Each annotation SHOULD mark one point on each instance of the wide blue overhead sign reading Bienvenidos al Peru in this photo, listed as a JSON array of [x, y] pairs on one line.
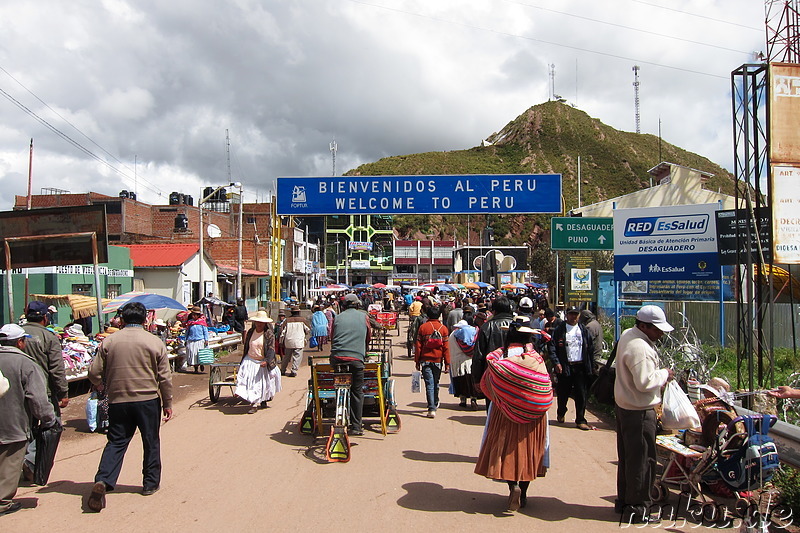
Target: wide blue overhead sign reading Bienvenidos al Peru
[[398, 195]]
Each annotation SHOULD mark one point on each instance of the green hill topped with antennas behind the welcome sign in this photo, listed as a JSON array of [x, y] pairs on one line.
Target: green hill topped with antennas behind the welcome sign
[[547, 138]]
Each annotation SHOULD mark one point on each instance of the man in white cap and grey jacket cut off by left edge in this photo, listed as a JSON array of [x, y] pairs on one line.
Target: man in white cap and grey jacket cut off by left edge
[[26, 396]]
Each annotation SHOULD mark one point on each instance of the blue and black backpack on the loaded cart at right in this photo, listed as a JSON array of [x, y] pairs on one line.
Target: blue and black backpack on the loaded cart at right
[[756, 462]]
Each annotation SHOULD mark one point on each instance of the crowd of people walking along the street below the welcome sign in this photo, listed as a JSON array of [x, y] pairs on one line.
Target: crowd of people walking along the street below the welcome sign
[[517, 355]]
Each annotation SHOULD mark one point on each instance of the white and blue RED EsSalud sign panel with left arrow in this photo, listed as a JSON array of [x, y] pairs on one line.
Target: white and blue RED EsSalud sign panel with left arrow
[[666, 243]]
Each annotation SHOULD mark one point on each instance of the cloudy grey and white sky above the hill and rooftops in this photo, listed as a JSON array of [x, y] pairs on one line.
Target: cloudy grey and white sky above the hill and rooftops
[[139, 94]]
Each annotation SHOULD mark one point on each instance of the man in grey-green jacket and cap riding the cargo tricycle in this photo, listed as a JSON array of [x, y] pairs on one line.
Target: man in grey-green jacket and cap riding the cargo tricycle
[[351, 335]]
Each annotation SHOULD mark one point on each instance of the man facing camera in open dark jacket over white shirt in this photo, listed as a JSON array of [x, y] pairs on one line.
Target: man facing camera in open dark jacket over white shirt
[[572, 355]]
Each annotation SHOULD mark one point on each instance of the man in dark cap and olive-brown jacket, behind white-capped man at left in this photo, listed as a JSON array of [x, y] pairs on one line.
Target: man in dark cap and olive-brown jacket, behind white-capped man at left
[[43, 346]]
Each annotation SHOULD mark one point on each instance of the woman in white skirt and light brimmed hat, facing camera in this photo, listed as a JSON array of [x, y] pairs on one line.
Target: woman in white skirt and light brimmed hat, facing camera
[[259, 377]]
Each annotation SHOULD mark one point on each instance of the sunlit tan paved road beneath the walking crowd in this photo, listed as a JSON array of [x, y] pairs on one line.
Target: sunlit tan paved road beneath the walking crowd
[[227, 470]]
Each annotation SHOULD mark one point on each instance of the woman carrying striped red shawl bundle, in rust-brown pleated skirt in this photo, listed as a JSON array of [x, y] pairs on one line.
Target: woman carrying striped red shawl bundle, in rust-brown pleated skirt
[[514, 447]]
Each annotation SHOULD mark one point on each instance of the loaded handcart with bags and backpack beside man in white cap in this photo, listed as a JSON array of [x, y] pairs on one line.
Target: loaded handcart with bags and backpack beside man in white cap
[[704, 471]]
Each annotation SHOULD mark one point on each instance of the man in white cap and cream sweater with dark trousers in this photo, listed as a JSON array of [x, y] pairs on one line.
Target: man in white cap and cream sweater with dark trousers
[[637, 391]]
